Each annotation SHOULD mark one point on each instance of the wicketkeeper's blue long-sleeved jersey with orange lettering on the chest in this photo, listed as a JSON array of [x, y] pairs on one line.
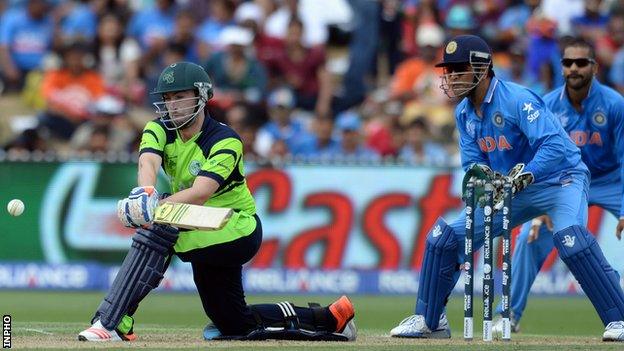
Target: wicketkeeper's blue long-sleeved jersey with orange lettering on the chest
[[516, 127]]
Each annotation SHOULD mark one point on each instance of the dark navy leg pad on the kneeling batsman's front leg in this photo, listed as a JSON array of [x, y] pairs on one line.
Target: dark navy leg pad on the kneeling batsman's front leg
[[141, 272]]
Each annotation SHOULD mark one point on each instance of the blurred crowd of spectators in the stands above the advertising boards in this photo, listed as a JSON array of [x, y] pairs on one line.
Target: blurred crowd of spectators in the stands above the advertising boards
[[328, 79]]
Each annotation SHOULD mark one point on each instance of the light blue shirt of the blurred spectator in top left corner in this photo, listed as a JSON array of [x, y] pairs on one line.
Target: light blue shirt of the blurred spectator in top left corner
[[28, 40]]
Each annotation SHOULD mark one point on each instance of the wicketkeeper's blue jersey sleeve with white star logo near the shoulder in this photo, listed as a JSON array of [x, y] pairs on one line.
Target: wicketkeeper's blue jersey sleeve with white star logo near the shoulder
[[544, 135]]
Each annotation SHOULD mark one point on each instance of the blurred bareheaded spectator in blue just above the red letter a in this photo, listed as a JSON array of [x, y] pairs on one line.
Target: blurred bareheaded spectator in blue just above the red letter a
[[321, 144]]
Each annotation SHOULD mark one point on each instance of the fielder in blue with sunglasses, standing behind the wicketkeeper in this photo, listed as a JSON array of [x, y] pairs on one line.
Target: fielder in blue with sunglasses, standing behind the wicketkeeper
[[593, 115]]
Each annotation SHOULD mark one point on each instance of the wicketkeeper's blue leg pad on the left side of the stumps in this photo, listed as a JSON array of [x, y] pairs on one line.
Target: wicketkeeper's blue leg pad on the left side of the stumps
[[437, 273]]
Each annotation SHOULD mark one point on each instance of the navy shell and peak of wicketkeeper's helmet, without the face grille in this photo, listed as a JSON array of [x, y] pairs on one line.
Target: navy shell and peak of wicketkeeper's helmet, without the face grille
[[466, 49]]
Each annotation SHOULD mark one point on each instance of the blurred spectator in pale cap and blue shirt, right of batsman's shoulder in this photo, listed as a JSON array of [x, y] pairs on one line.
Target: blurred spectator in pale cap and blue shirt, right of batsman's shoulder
[[284, 125]]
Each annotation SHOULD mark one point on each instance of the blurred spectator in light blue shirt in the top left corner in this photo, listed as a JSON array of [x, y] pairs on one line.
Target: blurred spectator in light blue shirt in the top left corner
[[25, 38]]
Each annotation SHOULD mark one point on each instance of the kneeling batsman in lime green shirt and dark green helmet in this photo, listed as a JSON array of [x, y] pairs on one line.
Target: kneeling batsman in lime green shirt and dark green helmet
[[204, 161]]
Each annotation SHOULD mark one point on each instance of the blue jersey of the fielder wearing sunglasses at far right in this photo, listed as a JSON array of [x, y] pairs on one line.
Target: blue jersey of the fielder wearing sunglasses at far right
[[598, 130]]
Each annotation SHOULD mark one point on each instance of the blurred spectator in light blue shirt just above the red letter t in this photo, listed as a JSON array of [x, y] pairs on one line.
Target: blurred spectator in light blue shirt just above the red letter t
[[419, 148]]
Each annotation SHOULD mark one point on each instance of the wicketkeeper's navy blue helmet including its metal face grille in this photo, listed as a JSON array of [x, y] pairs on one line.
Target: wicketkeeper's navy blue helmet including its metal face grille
[[469, 52]]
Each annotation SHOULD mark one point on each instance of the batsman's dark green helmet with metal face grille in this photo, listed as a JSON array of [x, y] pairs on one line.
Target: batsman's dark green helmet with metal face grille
[[182, 76]]
